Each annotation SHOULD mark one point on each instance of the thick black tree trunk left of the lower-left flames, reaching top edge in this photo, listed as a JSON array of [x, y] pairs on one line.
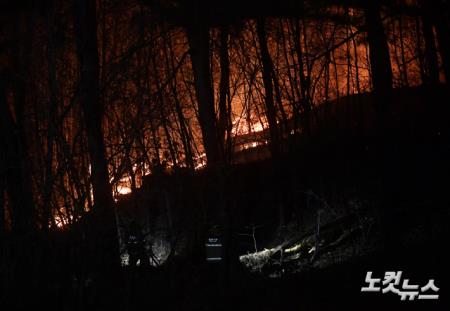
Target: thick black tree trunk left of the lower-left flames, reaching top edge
[[104, 238]]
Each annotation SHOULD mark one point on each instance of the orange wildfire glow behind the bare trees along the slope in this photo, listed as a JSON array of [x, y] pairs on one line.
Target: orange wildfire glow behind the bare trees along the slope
[[147, 88]]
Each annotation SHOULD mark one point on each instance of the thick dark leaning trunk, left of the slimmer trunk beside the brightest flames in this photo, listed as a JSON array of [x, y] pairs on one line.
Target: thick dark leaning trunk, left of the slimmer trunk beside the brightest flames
[[198, 37]]
